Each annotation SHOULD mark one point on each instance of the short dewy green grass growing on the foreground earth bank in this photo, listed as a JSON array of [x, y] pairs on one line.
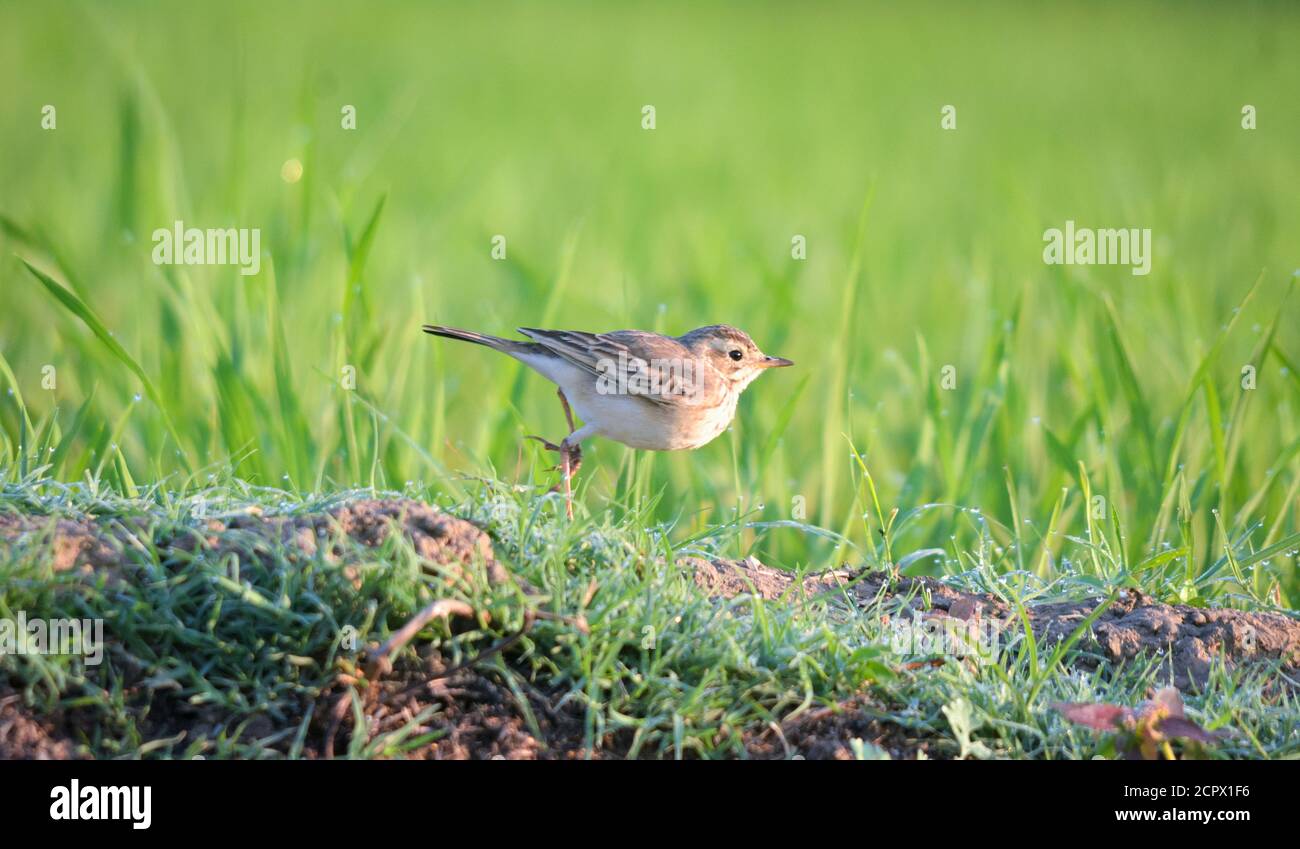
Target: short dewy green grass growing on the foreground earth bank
[[265, 642]]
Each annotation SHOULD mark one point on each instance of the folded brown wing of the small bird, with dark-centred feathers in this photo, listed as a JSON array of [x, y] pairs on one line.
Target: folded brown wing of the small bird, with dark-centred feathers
[[655, 367]]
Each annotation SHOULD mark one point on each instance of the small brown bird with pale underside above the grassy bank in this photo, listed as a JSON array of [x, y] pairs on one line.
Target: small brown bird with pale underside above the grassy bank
[[645, 391]]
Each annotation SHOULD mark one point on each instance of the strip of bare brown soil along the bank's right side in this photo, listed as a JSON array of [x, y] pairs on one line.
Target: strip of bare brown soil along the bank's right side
[[1188, 639]]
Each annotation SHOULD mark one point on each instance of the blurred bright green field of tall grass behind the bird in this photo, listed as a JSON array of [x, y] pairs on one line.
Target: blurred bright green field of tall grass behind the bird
[[773, 122]]
